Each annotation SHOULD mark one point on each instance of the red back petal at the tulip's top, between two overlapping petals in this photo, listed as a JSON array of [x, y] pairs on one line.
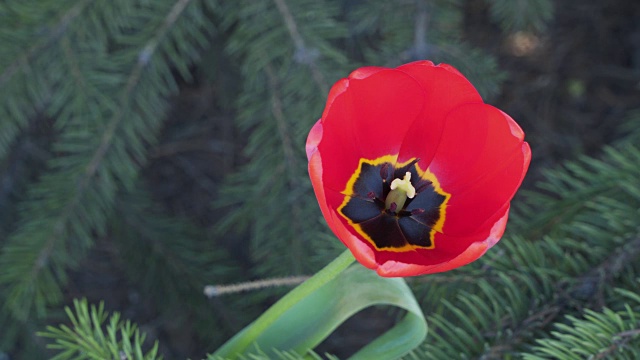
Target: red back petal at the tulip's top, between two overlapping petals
[[445, 89]]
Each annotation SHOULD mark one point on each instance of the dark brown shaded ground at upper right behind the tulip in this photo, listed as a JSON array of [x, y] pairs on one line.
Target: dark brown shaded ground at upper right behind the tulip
[[571, 86]]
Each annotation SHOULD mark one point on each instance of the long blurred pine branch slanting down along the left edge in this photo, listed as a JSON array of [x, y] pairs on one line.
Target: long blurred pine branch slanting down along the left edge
[[100, 151]]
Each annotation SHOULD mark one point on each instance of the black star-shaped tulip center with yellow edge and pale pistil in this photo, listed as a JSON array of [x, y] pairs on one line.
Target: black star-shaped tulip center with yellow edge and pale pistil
[[394, 206]]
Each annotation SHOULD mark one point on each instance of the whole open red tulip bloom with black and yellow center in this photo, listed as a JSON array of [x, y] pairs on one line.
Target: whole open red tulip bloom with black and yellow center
[[413, 171]]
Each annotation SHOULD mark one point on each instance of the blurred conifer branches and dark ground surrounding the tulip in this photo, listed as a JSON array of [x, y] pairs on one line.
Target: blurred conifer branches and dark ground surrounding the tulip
[[150, 148]]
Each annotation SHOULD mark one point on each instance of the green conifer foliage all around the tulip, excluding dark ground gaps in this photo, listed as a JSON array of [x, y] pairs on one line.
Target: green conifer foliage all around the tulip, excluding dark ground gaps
[[86, 89]]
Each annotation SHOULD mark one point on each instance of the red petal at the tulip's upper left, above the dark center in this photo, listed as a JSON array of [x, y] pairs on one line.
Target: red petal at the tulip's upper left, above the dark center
[[367, 119]]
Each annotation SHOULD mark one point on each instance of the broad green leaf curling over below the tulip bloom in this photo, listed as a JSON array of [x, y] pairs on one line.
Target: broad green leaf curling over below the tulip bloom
[[307, 323]]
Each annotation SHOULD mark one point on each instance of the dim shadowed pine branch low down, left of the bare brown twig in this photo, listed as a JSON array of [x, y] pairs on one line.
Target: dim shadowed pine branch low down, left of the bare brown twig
[[170, 258]]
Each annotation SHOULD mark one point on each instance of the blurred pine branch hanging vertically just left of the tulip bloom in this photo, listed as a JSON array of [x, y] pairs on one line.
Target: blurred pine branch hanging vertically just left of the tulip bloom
[[277, 99]]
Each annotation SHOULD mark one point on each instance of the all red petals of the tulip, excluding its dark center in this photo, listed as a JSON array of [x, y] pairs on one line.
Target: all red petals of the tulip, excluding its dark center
[[432, 112]]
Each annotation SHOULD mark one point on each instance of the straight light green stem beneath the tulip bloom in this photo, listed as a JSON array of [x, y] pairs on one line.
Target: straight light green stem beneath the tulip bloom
[[239, 343]]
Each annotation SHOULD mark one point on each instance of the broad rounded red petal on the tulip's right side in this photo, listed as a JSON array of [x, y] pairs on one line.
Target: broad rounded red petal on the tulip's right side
[[481, 162]]
